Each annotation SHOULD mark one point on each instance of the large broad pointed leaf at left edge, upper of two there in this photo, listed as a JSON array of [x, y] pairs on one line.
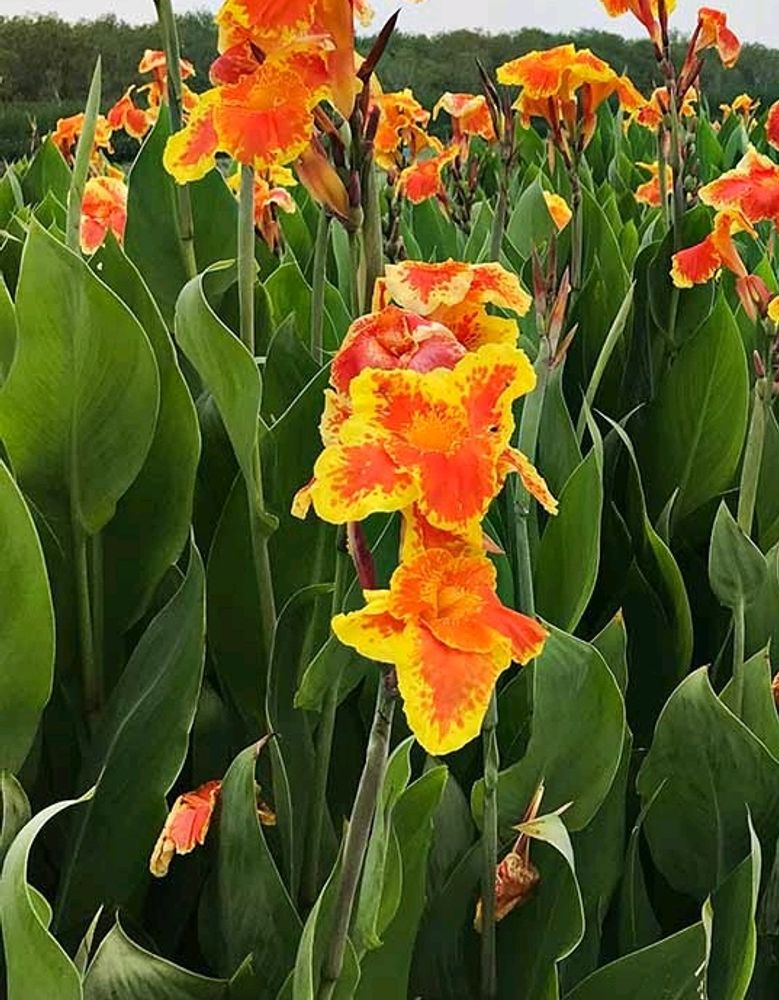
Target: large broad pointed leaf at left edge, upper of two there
[[79, 408]]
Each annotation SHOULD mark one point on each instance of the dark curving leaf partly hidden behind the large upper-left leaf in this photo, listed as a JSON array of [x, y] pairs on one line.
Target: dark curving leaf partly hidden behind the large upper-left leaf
[[152, 519]]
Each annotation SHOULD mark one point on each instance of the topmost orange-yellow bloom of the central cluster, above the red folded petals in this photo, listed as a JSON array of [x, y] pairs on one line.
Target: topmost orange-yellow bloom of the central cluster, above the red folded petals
[[456, 295]]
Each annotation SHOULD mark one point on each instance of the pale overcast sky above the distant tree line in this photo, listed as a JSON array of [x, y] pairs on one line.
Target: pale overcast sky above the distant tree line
[[753, 20]]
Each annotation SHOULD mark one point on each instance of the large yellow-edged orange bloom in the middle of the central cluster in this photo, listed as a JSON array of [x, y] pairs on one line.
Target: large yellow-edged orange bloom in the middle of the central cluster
[[439, 439]]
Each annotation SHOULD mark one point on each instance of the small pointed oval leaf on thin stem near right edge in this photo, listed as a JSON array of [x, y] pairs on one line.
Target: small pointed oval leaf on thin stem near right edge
[[737, 567]]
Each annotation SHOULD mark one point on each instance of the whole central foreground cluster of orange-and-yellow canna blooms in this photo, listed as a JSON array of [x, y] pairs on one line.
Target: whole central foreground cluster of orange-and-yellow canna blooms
[[419, 420]]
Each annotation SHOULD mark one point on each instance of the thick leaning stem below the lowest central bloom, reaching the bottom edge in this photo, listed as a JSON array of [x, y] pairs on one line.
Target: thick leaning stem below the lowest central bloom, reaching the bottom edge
[[357, 836]]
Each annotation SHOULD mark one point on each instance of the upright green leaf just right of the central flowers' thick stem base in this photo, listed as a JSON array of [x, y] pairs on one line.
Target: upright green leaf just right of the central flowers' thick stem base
[[385, 971]]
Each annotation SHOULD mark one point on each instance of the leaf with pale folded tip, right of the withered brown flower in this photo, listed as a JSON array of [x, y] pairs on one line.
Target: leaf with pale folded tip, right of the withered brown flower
[[549, 926]]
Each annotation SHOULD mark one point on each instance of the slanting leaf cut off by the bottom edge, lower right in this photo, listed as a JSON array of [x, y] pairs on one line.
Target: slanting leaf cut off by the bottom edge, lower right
[[673, 968]]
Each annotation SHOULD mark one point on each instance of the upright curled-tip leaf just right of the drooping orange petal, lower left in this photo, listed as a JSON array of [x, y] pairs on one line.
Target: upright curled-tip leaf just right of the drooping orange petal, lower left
[[246, 908]]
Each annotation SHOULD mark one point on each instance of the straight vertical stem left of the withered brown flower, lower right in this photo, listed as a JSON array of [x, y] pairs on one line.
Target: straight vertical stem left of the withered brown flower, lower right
[[489, 841]]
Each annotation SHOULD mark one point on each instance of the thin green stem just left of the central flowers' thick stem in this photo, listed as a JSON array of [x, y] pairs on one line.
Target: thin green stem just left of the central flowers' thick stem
[[324, 747]]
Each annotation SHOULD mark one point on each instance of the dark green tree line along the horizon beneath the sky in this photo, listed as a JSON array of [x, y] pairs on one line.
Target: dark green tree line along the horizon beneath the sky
[[45, 65]]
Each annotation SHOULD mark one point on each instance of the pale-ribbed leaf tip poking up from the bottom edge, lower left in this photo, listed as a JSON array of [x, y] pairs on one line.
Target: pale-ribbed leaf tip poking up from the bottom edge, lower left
[[122, 970]]
